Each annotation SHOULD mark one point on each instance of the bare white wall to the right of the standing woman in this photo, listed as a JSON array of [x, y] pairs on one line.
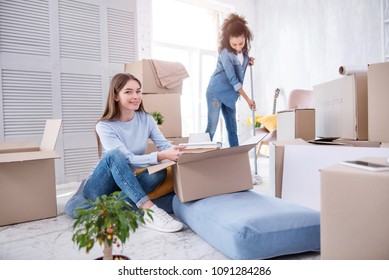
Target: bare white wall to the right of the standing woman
[[302, 43]]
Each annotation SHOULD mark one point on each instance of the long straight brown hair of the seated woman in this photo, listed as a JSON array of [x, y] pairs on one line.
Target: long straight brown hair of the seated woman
[[112, 111]]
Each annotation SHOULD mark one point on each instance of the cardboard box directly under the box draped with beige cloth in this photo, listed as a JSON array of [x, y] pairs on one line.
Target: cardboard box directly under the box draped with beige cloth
[[169, 105]]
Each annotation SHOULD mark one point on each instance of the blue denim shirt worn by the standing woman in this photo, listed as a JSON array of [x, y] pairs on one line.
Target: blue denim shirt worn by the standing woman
[[228, 77]]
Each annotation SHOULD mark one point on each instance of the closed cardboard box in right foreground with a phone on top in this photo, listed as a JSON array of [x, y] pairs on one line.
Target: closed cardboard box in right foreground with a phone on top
[[354, 213]]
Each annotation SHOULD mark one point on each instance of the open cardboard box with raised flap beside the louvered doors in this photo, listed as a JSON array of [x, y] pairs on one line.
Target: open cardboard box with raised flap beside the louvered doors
[[27, 176]]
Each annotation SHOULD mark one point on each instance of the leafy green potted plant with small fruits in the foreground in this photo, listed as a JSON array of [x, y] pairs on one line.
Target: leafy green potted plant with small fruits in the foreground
[[108, 221]]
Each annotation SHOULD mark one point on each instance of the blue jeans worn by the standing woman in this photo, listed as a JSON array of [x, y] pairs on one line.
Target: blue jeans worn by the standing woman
[[214, 108]]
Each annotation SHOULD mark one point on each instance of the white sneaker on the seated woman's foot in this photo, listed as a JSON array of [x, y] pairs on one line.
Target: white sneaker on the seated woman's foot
[[161, 221]]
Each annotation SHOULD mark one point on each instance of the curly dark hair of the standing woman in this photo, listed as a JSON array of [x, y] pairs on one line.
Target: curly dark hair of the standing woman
[[234, 26]]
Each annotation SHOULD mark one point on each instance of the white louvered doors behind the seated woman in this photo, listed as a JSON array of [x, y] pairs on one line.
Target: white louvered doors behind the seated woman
[[57, 58]]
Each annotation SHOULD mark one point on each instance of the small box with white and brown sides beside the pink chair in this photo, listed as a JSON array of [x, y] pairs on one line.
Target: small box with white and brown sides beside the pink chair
[[297, 123]]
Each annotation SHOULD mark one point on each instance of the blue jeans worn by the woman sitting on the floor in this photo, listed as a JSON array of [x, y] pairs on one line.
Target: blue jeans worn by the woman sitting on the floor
[[113, 173]]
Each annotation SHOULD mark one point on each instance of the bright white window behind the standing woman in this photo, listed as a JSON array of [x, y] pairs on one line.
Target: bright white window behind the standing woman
[[187, 31]]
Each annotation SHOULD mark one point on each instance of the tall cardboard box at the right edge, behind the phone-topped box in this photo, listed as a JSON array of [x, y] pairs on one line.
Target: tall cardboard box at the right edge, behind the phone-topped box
[[378, 102]]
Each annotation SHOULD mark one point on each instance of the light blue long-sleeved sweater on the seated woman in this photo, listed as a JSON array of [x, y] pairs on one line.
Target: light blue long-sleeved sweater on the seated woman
[[131, 138]]
